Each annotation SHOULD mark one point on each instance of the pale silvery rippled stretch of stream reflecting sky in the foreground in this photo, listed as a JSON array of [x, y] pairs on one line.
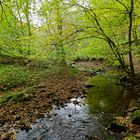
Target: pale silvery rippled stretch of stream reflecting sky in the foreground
[[70, 122]]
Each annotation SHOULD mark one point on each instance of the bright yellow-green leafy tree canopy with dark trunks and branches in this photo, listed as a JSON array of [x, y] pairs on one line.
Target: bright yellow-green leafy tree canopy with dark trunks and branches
[[65, 30]]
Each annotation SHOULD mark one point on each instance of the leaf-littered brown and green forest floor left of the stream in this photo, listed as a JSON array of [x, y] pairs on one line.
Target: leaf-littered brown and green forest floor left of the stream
[[29, 92]]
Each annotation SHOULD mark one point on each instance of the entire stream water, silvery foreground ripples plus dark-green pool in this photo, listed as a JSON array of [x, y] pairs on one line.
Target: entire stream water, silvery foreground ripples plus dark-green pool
[[82, 118]]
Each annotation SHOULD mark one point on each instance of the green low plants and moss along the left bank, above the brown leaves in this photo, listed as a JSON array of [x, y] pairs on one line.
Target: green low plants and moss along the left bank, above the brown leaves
[[25, 81]]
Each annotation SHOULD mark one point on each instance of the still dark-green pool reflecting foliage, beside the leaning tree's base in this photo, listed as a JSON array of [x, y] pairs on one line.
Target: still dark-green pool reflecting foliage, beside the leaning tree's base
[[107, 96]]
